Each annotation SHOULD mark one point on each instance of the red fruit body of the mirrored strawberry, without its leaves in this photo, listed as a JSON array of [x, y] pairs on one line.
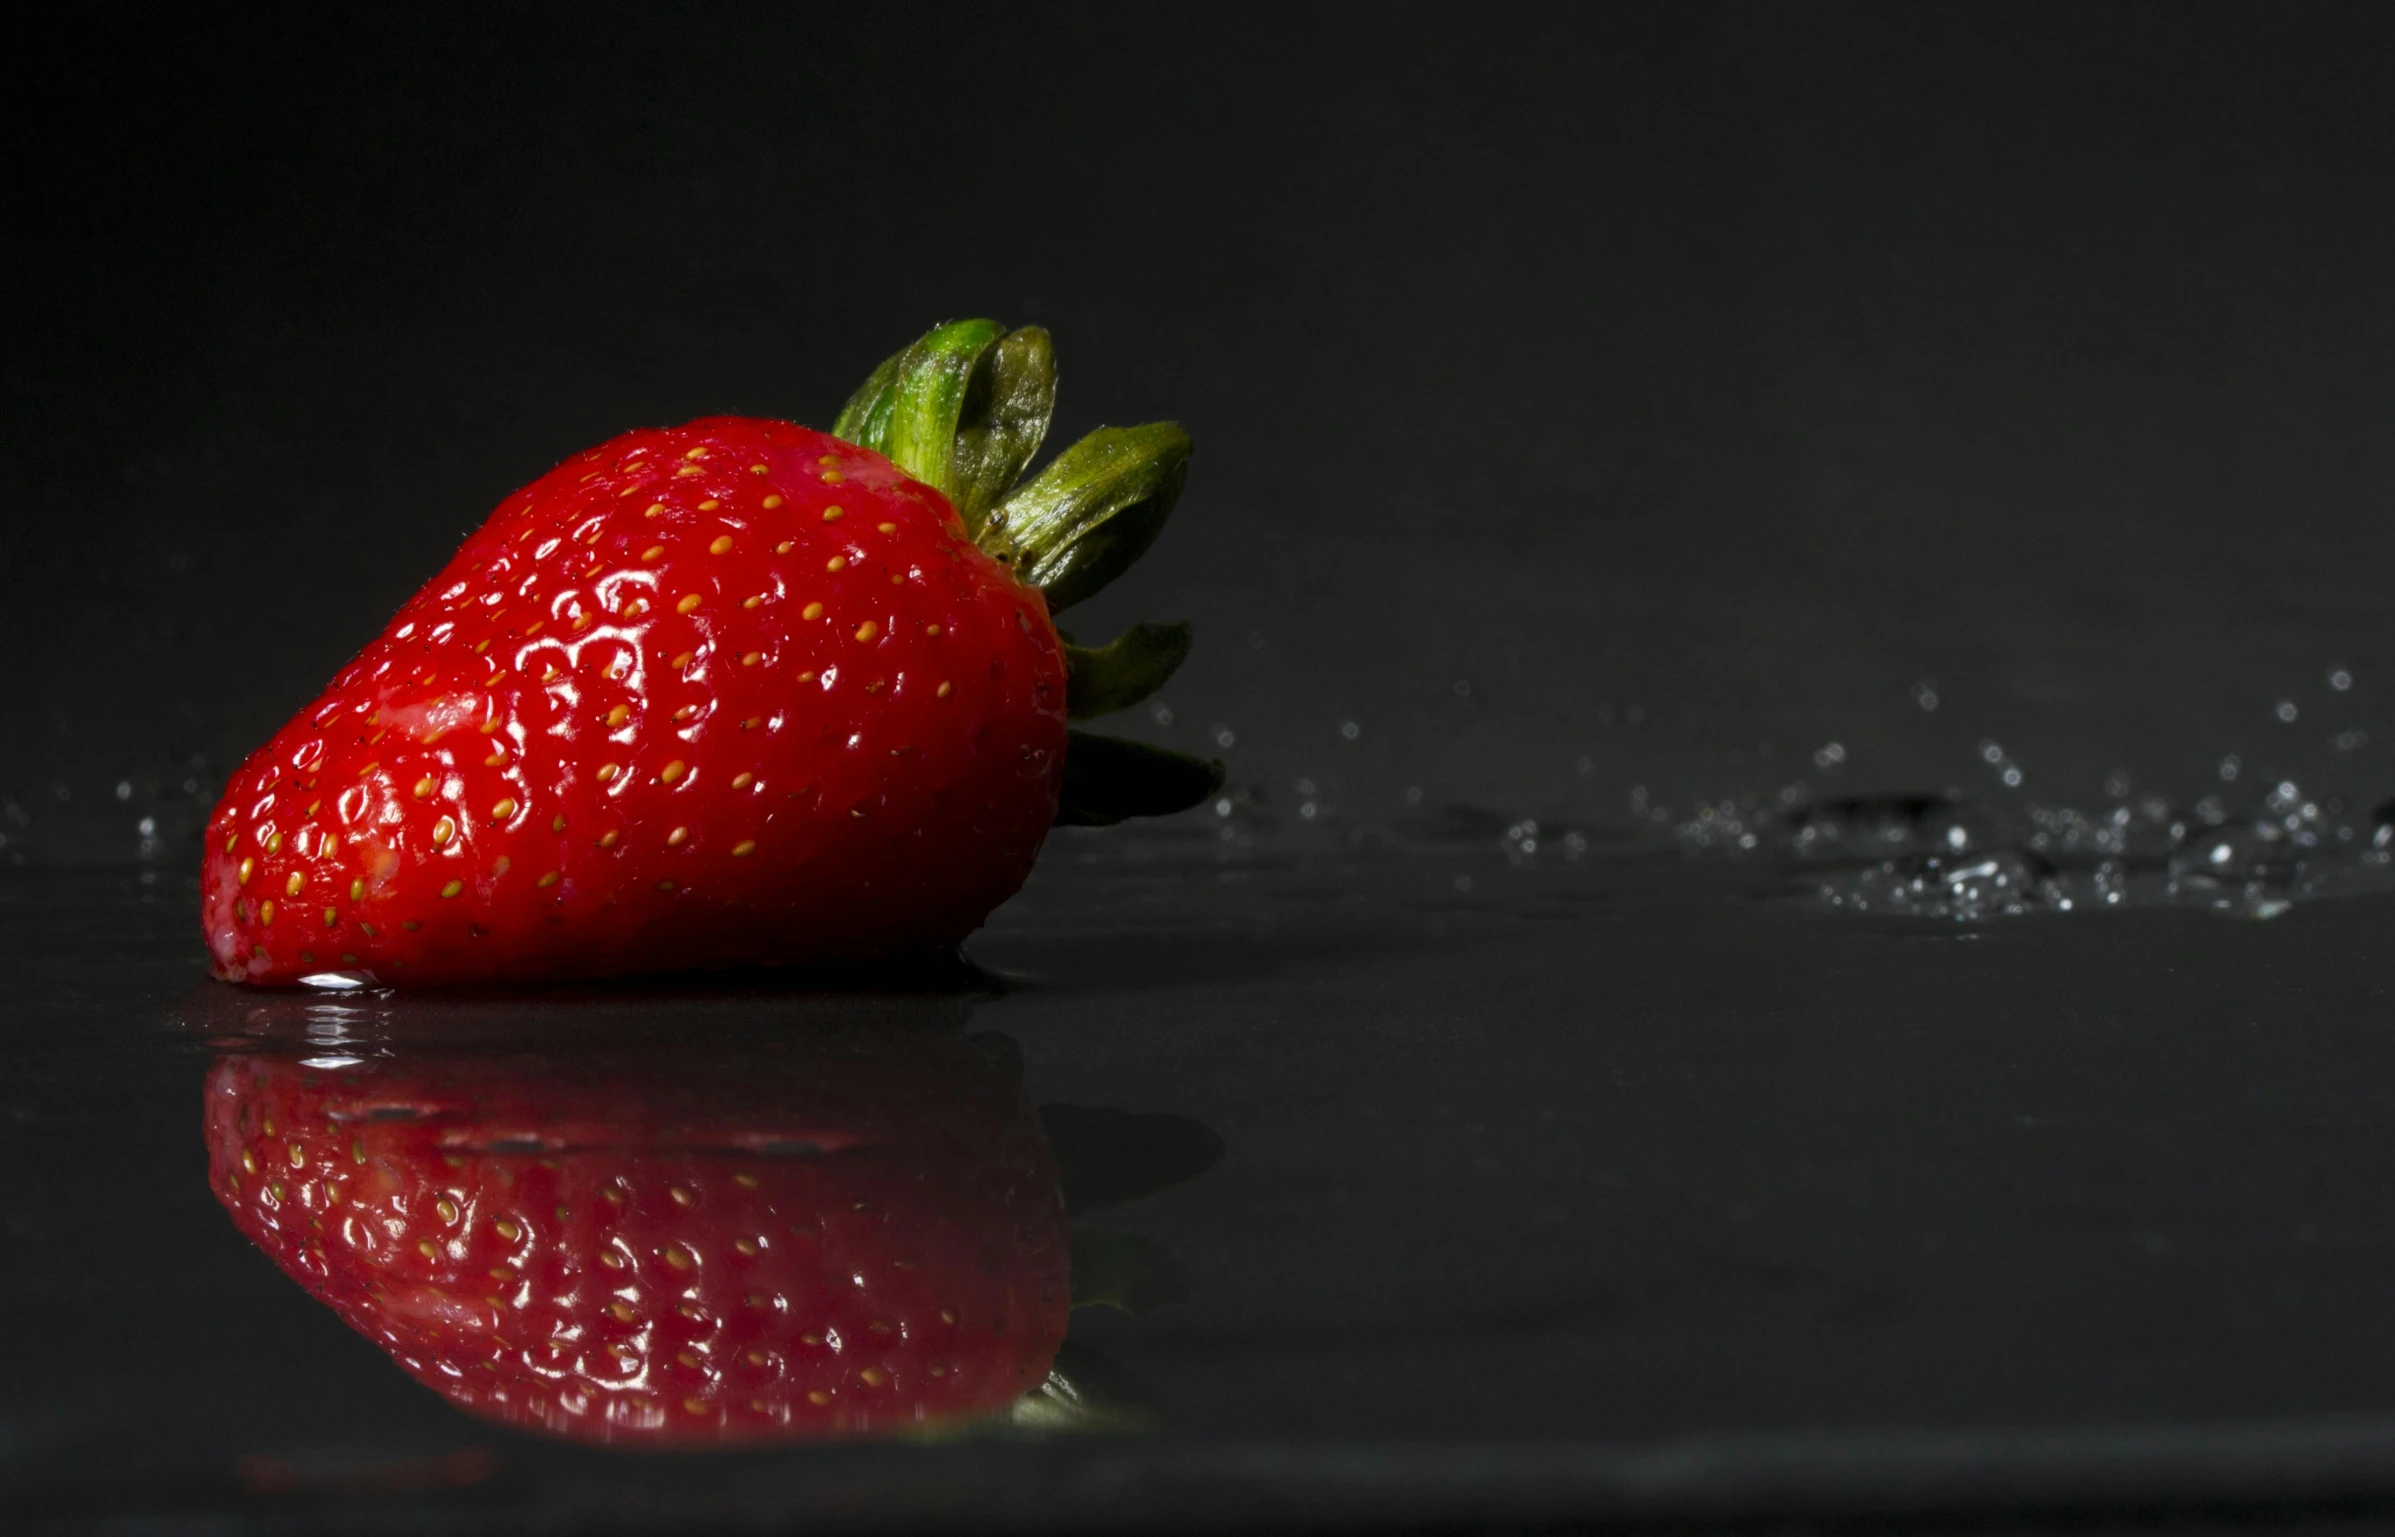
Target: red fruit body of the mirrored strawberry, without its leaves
[[851, 1234]]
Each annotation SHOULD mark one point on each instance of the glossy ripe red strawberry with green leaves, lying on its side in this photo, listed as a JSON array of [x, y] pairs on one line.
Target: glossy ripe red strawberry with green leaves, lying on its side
[[734, 693]]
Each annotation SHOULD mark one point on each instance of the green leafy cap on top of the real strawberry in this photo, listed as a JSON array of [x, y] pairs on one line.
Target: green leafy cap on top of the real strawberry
[[964, 411]]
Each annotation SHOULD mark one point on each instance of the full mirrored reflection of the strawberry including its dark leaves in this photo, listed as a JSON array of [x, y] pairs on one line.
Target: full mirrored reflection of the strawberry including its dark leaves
[[696, 1217]]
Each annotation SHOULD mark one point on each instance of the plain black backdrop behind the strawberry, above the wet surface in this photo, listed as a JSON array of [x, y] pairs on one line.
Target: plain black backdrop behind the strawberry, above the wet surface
[[1584, 396]]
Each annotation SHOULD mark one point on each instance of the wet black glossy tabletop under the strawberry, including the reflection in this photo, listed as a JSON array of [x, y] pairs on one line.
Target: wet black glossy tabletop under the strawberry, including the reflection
[[1359, 1177]]
